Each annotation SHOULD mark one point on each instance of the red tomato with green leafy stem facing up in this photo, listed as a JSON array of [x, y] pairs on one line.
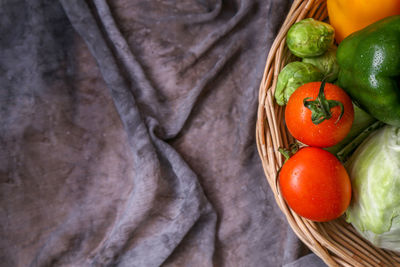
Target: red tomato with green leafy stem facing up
[[331, 130]]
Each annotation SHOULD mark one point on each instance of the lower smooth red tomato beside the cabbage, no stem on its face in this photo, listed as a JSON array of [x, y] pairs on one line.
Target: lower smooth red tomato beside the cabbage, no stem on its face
[[315, 184]]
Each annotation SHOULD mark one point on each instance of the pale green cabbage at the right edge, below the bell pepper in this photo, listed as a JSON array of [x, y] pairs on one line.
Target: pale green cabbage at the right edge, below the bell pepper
[[374, 169]]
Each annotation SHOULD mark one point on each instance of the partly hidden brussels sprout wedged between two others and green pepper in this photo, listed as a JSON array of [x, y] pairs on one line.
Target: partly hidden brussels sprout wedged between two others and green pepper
[[326, 63]]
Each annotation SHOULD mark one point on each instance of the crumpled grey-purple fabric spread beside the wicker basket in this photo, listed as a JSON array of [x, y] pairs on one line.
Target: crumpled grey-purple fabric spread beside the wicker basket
[[127, 134]]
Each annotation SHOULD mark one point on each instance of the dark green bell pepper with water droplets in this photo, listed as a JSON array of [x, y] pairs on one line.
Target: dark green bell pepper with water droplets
[[369, 63]]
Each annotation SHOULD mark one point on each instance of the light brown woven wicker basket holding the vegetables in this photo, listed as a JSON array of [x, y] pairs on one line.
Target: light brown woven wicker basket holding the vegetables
[[337, 243]]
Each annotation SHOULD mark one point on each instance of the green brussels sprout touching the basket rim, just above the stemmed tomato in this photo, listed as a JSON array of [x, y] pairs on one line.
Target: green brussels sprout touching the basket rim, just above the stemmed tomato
[[292, 76]]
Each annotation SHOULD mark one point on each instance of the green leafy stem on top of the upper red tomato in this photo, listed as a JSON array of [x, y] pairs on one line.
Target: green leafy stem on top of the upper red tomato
[[321, 107]]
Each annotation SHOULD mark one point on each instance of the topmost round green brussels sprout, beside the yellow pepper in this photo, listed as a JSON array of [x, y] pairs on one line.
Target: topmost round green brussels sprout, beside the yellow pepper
[[310, 38]]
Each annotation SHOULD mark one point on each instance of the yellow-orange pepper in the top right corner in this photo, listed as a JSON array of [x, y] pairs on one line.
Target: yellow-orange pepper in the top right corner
[[350, 16]]
